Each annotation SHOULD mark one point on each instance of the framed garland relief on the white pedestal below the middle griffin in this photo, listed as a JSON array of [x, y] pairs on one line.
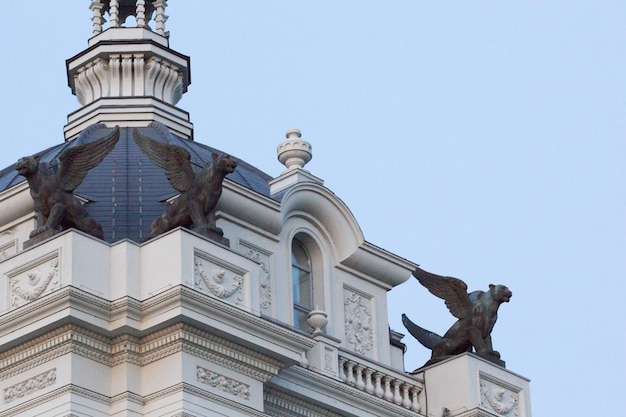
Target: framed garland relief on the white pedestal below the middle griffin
[[217, 280]]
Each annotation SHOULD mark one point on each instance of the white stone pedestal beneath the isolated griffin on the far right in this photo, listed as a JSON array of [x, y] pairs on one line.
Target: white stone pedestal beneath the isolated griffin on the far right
[[468, 385]]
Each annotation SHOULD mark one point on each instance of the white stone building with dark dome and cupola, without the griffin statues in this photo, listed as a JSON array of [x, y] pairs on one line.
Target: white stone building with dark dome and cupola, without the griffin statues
[[286, 315]]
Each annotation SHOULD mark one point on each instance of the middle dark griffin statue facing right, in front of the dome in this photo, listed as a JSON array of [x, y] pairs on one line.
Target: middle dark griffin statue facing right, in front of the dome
[[199, 192]]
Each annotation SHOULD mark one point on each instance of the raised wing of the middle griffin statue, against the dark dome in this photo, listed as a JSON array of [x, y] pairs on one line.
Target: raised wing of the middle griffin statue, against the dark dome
[[175, 160]]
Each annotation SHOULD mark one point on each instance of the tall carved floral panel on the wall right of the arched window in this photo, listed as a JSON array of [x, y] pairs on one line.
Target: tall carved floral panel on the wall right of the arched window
[[358, 321]]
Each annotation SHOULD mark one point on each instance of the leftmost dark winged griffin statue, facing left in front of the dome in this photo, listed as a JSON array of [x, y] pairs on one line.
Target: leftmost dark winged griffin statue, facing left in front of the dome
[[56, 208]]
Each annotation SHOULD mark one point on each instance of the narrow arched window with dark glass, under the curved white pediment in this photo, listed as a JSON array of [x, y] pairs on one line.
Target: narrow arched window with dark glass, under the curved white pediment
[[301, 283]]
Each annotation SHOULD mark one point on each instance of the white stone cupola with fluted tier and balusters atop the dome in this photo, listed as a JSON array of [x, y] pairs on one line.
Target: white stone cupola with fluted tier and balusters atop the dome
[[128, 75]]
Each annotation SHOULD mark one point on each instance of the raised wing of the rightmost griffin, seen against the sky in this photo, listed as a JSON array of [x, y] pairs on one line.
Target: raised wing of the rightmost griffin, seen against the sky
[[452, 290]]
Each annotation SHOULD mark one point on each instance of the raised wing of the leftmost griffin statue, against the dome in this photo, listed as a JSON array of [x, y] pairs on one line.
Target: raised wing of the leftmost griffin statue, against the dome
[[77, 161]]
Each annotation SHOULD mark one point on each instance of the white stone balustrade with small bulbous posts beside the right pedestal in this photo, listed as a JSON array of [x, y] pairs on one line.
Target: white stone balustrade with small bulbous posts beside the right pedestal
[[377, 380]]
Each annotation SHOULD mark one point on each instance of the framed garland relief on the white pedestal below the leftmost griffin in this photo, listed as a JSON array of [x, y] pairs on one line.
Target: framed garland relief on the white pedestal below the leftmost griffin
[[32, 281]]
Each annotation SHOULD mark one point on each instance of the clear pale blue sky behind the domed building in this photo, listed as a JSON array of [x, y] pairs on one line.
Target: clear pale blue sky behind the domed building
[[481, 140]]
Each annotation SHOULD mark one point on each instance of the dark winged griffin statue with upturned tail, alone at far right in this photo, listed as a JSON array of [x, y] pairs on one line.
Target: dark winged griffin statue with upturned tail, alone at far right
[[477, 313]]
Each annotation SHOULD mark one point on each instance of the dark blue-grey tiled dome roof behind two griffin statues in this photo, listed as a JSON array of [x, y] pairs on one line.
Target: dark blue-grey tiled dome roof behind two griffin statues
[[127, 191]]
